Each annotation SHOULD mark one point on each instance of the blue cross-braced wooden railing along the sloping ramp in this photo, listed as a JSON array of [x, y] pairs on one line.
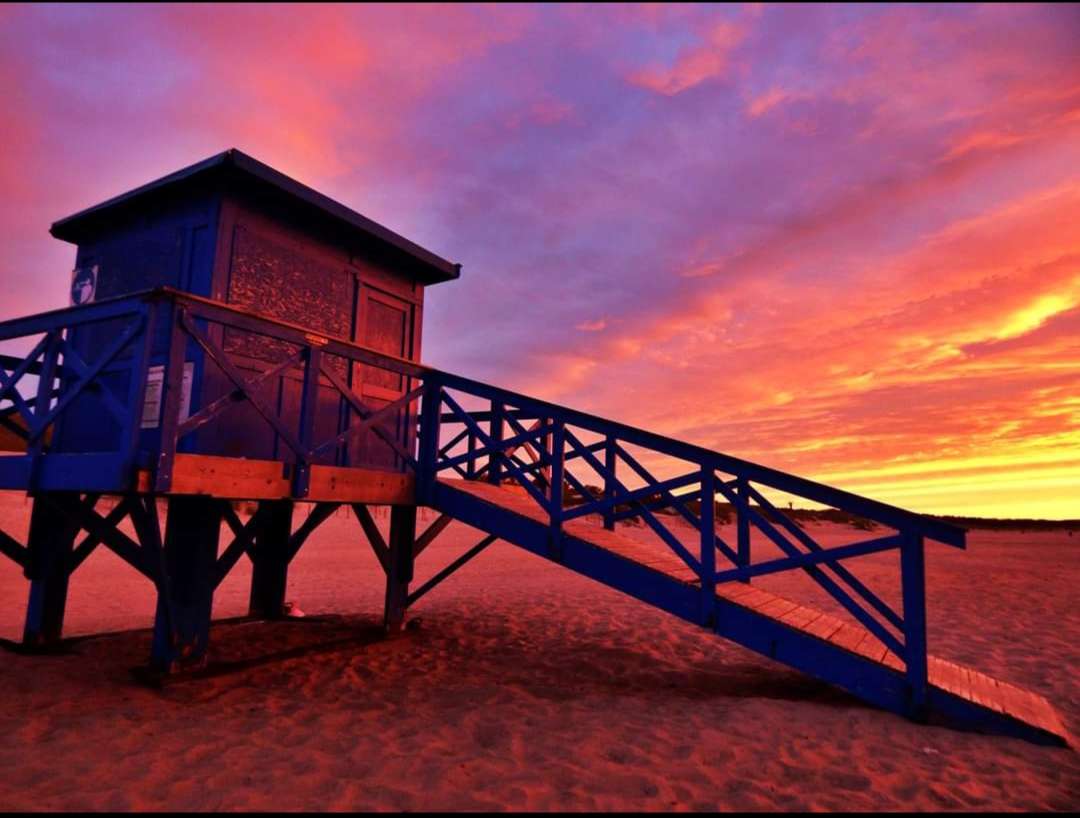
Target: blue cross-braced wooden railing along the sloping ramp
[[574, 465]]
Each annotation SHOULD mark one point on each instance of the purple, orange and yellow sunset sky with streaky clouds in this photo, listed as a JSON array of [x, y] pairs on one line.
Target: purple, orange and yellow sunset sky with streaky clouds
[[842, 242]]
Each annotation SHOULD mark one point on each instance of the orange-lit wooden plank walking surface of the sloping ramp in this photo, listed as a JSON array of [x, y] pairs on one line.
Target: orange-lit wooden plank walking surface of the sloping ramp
[[948, 679]]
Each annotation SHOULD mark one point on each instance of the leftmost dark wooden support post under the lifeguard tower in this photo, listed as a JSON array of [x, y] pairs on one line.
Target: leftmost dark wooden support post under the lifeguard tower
[[53, 531]]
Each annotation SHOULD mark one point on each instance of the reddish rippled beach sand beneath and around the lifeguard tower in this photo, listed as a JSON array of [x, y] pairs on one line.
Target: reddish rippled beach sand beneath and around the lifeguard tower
[[524, 688]]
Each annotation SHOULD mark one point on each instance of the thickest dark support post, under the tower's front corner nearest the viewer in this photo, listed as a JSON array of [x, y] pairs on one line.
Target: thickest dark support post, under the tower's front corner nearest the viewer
[[186, 592]]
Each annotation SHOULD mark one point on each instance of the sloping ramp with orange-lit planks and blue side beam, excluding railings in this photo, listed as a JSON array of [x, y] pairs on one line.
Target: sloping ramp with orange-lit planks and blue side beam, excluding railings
[[821, 645]]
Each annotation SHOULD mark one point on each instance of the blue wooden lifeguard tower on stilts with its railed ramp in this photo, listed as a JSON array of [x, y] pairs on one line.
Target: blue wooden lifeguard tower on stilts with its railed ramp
[[236, 336]]
